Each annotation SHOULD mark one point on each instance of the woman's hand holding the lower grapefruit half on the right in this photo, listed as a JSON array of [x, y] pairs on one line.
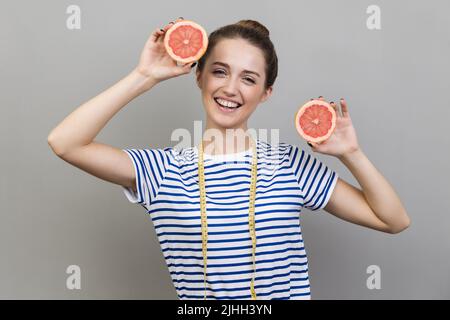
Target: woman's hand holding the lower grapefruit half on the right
[[343, 140]]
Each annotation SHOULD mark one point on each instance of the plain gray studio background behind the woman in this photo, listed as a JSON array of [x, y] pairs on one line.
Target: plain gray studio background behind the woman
[[54, 215]]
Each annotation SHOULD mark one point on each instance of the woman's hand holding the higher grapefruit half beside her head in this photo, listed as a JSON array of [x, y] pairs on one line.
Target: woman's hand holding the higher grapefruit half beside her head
[[155, 63]]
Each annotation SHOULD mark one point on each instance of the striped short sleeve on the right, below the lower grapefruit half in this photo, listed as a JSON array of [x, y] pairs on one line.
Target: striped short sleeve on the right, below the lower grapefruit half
[[316, 180]]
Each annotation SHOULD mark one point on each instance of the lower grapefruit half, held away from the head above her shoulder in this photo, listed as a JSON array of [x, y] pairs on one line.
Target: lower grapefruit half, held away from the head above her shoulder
[[315, 121]]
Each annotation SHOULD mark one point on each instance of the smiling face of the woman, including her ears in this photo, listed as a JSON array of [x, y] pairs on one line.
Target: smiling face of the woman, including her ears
[[234, 71]]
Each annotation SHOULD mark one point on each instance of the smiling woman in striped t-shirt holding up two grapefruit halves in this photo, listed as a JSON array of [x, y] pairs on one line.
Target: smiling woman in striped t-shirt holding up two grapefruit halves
[[226, 215]]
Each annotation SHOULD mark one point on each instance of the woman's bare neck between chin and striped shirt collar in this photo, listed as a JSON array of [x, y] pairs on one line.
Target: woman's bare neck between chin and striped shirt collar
[[218, 140]]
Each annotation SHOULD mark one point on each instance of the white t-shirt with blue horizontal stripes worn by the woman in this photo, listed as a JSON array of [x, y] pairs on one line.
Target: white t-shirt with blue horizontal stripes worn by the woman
[[288, 179]]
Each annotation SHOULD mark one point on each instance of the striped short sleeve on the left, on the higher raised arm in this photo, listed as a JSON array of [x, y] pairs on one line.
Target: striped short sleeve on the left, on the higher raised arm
[[150, 166]]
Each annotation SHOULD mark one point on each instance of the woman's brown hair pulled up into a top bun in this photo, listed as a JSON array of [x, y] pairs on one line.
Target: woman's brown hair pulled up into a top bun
[[256, 34]]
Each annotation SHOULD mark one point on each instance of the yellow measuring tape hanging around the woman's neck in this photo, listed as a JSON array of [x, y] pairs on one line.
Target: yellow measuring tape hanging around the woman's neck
[[251, 213]]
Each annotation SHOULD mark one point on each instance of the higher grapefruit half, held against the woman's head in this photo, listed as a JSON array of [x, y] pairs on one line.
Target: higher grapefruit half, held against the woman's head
[[186, 41]]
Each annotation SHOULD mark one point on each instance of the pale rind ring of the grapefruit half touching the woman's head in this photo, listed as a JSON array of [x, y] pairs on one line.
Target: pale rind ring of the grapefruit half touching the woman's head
[[201, 51]]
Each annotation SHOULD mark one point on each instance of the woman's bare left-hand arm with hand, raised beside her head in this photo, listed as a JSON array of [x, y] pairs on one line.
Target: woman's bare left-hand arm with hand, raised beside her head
[[73, 138]]
